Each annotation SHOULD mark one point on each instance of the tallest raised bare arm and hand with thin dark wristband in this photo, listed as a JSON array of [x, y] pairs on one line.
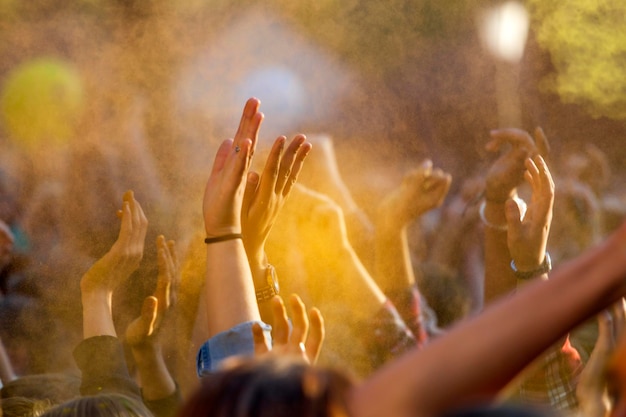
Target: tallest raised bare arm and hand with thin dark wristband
[[229, 289]]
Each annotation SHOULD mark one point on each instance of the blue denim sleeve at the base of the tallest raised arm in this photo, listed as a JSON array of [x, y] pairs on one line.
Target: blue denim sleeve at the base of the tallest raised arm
[[234, 341]]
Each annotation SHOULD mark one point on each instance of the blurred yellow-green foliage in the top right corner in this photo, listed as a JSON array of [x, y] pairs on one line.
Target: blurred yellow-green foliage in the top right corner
[[586, 40]]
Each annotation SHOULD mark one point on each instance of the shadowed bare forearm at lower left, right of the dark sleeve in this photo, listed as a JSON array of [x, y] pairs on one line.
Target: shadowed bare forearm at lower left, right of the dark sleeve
[[156, 381]]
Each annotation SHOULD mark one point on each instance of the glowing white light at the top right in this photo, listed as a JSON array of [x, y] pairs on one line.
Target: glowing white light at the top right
[[505, 29]]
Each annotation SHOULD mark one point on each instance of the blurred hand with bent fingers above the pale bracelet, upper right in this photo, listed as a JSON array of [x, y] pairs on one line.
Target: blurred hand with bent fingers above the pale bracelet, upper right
[[507, 172]]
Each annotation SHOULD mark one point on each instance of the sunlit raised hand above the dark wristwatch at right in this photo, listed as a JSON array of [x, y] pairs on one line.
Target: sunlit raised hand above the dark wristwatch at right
[[527, 238]]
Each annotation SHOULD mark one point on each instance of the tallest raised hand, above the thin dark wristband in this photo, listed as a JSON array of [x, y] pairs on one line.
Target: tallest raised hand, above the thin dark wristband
[[224, 191]]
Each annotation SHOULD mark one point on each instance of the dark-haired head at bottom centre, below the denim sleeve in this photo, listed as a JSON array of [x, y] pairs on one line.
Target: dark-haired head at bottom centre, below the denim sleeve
[[273, 387]]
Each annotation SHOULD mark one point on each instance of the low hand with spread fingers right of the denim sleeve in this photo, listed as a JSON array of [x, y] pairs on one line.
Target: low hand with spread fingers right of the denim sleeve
[[304, 339]]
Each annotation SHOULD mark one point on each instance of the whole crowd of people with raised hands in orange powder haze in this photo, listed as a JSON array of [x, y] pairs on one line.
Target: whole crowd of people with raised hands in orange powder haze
[[502, 298]]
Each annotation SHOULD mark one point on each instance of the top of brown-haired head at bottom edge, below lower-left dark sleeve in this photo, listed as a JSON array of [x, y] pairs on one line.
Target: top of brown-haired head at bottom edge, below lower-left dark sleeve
[[102, 405]]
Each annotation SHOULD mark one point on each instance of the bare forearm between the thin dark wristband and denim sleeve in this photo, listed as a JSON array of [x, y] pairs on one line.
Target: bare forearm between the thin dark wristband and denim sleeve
[[229, 287]]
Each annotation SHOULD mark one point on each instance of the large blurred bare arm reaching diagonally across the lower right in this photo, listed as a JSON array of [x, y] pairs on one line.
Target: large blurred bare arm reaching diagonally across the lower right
[[480, 360]]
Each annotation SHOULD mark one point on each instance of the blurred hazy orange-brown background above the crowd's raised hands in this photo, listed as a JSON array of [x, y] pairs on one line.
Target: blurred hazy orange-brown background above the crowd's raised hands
[[400, 80]]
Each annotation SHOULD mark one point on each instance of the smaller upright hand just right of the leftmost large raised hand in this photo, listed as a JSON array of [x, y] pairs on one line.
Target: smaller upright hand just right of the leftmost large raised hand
[[145, 328]]
